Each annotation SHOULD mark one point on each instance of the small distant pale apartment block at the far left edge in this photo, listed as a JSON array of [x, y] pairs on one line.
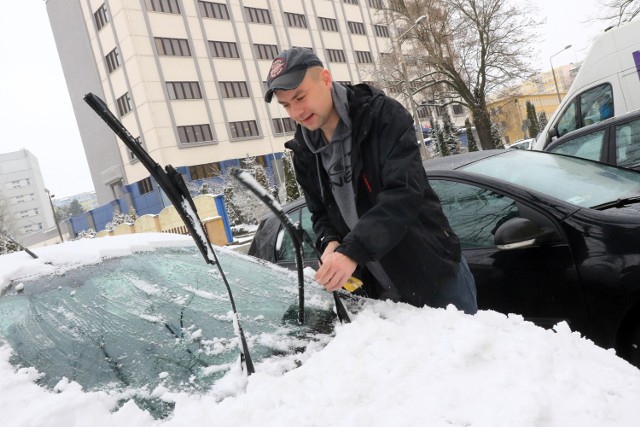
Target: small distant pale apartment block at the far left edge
[[24, 201]]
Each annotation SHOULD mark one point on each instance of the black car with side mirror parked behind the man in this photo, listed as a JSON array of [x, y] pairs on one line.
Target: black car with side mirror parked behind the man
[[550, 237]]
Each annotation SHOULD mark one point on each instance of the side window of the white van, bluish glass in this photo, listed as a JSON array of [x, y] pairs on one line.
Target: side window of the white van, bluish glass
[[595, 105]]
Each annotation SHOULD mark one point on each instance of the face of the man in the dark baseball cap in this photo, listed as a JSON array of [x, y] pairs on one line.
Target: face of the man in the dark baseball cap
[[310, 104]]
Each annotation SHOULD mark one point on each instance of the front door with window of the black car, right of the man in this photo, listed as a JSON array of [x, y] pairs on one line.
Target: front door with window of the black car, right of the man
[[538, 282]]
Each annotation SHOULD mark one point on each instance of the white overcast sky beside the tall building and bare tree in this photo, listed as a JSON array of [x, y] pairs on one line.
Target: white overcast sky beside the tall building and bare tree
[[36, 113]]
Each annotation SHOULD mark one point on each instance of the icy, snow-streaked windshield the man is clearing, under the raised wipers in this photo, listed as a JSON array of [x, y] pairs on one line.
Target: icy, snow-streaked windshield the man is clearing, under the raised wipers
[[160, 317]]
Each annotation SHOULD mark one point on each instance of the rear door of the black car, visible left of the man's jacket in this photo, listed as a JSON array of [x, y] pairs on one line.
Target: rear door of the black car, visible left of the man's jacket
[[285, 250]]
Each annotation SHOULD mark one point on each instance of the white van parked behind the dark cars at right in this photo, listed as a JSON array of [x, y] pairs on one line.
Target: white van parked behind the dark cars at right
[[607, 85]]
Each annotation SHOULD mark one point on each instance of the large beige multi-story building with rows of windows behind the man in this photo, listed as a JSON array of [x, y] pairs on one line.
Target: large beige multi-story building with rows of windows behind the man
[[187, 77]]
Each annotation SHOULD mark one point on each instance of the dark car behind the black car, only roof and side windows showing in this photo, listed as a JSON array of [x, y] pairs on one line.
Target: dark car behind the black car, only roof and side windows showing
[[615, 141]]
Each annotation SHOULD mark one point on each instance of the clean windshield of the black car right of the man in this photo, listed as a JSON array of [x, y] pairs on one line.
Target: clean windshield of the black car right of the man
[[576, 181]]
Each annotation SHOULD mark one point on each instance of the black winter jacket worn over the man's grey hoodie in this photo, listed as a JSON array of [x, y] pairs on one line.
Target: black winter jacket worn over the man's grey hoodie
[[401, 222]]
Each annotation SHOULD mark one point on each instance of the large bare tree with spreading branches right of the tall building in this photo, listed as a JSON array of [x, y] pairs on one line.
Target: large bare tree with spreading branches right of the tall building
[[470, 48]]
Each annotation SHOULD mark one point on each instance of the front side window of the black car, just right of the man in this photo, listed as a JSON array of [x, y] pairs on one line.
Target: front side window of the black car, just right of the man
[[473, 212]]
